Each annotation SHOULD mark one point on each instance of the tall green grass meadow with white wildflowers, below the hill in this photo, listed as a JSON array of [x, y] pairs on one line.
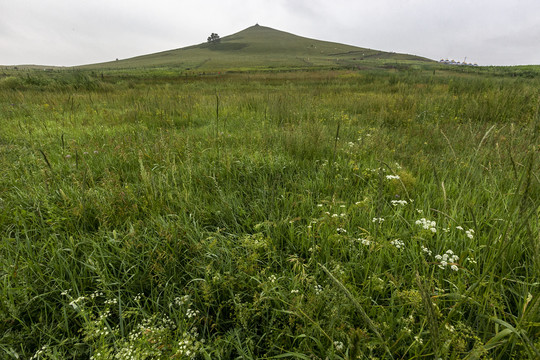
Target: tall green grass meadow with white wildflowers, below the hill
[[342, 214]]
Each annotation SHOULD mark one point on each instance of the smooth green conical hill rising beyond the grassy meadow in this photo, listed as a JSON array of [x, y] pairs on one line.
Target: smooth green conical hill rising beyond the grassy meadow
[[260, 47]]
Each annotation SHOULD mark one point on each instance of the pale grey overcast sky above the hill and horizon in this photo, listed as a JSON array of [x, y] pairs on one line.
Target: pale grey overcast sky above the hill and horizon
[[76, 32]]
